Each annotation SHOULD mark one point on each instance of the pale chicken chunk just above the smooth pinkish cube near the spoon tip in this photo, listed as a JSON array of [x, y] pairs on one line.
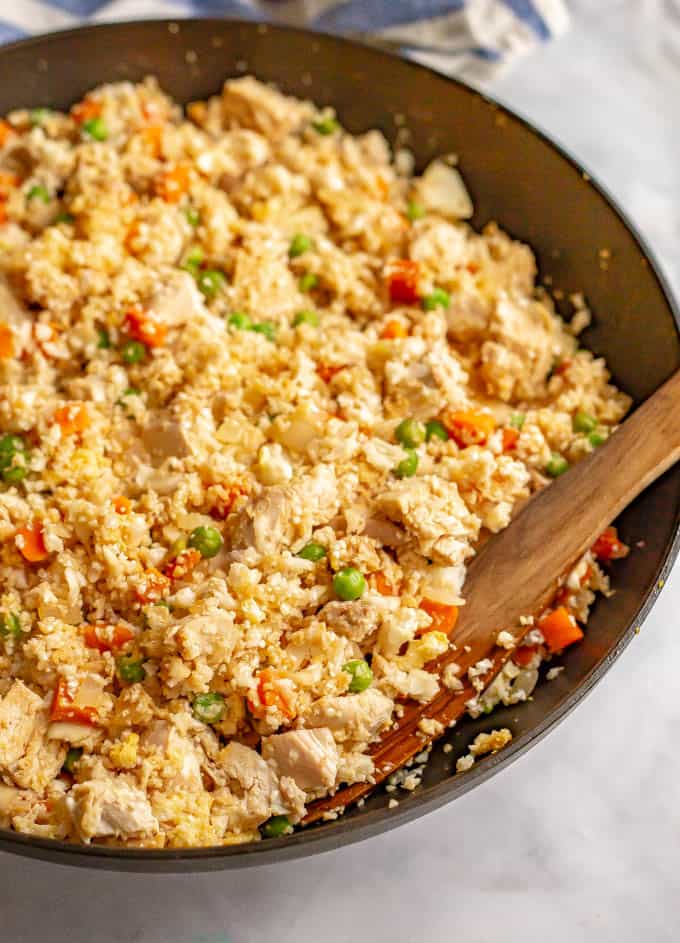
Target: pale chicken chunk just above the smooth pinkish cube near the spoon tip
[[357, 717]]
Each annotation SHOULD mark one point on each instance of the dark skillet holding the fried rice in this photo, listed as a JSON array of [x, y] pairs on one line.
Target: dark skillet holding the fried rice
[[516, 176]]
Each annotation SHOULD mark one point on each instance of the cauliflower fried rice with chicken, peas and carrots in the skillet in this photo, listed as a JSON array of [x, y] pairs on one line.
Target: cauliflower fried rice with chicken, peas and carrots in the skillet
[[262, 394]]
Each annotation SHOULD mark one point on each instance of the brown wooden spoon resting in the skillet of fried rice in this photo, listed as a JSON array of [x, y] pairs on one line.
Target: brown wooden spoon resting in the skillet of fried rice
[[517, 572]]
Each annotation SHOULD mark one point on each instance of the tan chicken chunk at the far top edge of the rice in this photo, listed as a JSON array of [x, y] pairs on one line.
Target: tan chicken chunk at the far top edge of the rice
[[247, 103]]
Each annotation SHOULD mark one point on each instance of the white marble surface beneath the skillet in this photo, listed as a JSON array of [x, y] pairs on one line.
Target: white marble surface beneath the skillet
[[579, 839]]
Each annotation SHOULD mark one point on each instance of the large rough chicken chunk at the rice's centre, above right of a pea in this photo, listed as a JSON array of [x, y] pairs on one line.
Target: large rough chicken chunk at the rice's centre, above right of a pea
[[286, 515]]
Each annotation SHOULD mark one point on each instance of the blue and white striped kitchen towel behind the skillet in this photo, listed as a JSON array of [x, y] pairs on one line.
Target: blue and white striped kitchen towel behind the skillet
[[473, 38]]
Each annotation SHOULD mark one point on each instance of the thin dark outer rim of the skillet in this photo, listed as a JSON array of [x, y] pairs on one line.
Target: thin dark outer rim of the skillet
[[341, 832]]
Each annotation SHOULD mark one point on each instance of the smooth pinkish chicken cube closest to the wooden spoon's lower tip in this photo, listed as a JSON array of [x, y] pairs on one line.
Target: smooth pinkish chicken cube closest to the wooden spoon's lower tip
[[310, 757]]
